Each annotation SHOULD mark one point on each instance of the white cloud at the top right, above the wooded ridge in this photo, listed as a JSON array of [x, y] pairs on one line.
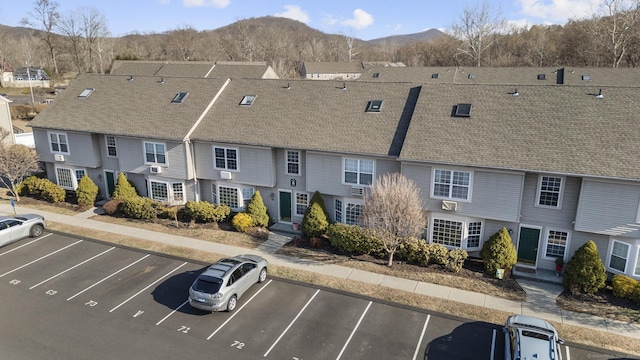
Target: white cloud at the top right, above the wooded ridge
[[558, 11]]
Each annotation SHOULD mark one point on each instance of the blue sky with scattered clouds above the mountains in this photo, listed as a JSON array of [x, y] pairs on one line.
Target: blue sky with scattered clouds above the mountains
[[363, 19]]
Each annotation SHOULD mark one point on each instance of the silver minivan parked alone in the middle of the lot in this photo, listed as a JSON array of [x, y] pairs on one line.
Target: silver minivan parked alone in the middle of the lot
[[220, 286]]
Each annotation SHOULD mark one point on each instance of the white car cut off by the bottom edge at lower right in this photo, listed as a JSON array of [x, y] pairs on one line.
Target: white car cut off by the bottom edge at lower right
[[527, 337]]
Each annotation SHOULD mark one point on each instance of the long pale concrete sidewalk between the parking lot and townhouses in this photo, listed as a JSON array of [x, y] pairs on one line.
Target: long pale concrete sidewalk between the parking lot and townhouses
[[540, 302]]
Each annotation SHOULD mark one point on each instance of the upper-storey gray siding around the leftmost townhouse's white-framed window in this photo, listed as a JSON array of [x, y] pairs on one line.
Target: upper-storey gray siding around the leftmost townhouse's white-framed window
[[84, 151]]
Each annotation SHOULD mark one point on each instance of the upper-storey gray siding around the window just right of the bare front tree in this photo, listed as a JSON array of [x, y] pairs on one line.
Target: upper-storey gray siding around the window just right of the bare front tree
[[494, 195]]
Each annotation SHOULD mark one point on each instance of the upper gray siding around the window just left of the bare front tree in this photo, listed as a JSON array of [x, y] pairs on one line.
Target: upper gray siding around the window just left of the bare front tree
[[324, 172]]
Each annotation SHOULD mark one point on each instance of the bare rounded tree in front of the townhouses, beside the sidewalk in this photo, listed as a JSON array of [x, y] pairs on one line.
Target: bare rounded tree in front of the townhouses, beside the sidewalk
[[392, 211]]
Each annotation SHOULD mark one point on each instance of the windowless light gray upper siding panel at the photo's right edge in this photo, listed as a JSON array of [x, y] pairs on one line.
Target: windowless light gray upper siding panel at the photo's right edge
[[609, 208]]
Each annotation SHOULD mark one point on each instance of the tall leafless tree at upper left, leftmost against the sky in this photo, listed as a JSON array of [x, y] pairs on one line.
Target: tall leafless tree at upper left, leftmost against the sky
[[45, 19]]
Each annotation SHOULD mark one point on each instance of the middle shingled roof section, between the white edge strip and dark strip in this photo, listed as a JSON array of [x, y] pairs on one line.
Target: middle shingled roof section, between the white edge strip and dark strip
[[313, 115]]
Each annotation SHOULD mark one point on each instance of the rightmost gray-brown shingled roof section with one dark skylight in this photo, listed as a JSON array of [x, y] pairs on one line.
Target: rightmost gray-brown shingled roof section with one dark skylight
[[558, 129]]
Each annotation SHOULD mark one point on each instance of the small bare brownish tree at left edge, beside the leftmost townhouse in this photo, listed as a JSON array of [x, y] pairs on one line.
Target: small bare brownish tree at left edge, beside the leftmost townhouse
[[16, 163]]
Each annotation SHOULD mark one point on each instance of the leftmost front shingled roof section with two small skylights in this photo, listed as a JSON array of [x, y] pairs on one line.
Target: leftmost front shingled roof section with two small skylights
[[141, 107]]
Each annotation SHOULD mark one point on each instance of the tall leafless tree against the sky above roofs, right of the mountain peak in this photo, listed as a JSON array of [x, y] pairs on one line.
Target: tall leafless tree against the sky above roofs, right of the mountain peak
[[477, 30]]
